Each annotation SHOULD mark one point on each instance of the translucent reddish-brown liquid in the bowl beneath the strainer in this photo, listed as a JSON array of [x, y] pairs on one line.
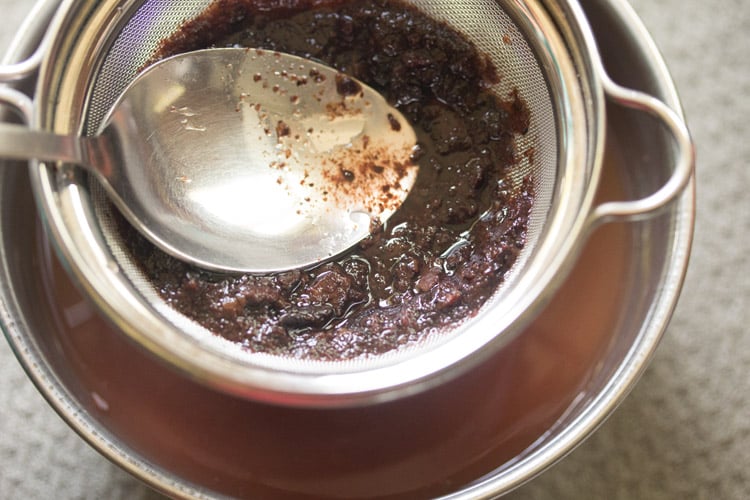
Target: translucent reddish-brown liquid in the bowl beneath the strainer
[[425, 445]]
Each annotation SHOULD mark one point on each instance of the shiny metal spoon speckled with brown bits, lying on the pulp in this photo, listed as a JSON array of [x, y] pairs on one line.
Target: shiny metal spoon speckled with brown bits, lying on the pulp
[[243, 159]]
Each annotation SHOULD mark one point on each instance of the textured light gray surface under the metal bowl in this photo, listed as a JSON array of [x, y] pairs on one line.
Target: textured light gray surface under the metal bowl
[[684, 432]]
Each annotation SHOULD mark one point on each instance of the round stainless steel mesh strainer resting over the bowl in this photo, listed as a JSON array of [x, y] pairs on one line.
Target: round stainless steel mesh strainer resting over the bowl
[[542, 48]]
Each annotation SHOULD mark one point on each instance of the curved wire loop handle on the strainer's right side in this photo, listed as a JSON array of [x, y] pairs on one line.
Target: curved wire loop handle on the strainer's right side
[[684, 157]]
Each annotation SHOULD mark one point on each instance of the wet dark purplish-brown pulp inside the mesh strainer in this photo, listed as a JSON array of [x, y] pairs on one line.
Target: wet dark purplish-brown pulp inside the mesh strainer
[[441, 256]]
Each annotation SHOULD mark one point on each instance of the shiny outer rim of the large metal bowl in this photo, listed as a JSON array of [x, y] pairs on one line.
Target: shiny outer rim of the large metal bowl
[[595, 412]]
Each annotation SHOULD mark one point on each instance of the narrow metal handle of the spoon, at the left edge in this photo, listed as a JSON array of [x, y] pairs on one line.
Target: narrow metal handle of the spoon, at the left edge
[[18, 142]]
